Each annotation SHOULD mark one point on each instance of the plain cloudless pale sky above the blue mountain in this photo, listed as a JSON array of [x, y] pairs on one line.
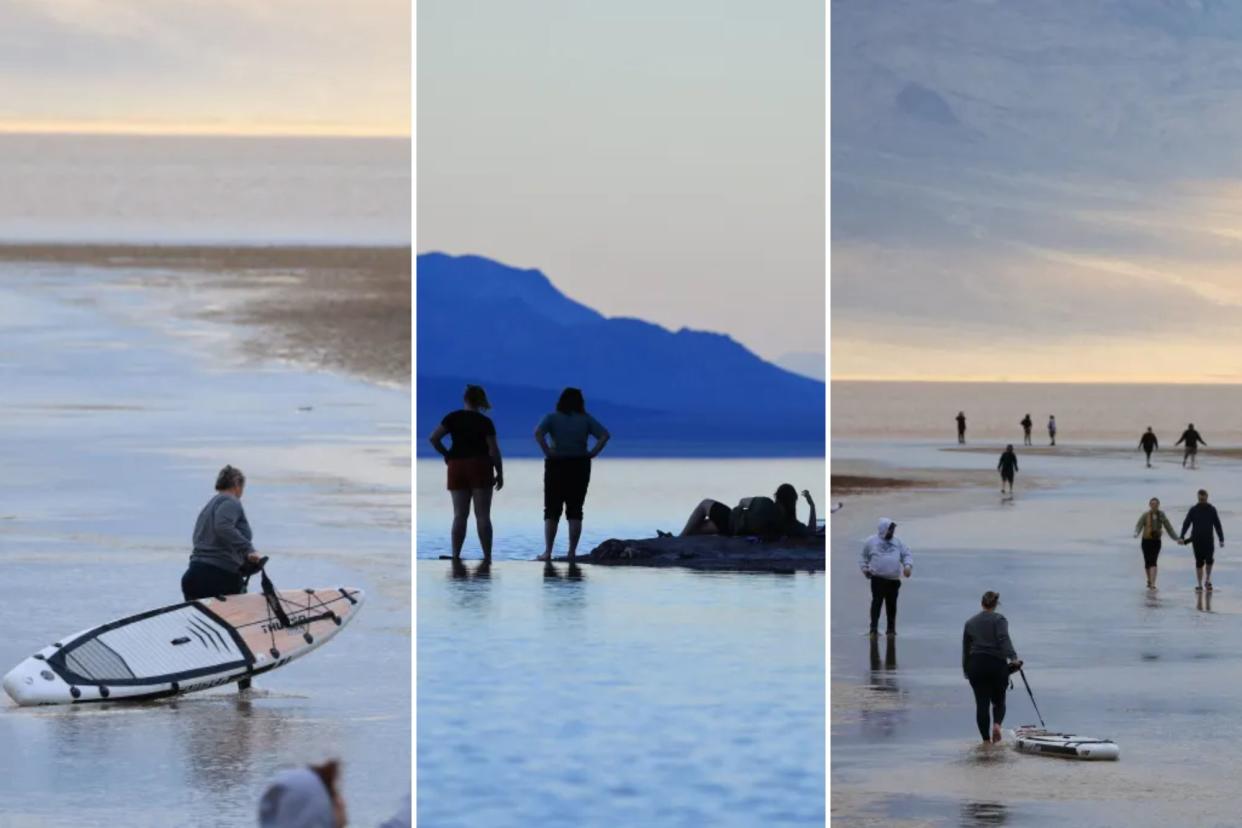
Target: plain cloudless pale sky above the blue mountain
[[655, 160]]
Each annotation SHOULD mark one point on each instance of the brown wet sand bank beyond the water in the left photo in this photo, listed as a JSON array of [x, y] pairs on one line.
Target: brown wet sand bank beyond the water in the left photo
[[336, 308]]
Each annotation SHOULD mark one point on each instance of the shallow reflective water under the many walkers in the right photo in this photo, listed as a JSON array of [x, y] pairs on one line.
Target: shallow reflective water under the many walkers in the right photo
[[1158, 673]]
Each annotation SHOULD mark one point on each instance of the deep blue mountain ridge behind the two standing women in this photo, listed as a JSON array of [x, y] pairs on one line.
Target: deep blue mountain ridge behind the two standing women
[[660, 393]]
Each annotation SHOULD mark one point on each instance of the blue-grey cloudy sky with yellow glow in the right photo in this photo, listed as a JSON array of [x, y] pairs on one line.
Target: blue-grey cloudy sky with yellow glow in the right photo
[[1038, 192]]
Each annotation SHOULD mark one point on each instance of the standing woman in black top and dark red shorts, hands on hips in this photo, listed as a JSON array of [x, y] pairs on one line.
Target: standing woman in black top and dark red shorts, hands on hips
[[474, 465]]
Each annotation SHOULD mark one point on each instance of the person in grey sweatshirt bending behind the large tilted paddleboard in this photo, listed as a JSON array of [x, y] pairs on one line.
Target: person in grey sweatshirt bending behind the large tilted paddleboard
[[223, 556]]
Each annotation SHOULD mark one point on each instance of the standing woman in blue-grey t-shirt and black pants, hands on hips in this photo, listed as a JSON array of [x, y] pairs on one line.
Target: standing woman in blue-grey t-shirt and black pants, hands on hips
[[568, 466]]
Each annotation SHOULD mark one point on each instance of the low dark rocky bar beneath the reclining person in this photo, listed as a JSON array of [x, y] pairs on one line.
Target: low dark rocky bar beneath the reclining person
[[712, 553]]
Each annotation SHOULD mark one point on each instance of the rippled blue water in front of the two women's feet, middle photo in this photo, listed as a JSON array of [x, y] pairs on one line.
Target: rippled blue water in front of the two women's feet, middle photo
[[619, 697]]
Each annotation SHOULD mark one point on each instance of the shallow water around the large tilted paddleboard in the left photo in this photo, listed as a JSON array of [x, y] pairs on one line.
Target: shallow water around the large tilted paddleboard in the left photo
[[115, 431]]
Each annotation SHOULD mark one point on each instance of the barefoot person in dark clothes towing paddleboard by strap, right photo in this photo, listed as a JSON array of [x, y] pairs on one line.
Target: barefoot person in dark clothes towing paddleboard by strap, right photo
[[988, 659]]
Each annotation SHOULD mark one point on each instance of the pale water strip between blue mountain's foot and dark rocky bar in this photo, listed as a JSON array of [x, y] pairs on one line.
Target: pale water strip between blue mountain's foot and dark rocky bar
[[628, 498]]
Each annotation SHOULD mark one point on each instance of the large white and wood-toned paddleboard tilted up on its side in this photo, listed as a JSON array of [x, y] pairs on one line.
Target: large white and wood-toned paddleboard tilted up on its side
[[183, 649]]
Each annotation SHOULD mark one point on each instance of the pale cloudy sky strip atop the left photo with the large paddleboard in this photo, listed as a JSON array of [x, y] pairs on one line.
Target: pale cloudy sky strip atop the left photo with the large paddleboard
[[232, 66]]
